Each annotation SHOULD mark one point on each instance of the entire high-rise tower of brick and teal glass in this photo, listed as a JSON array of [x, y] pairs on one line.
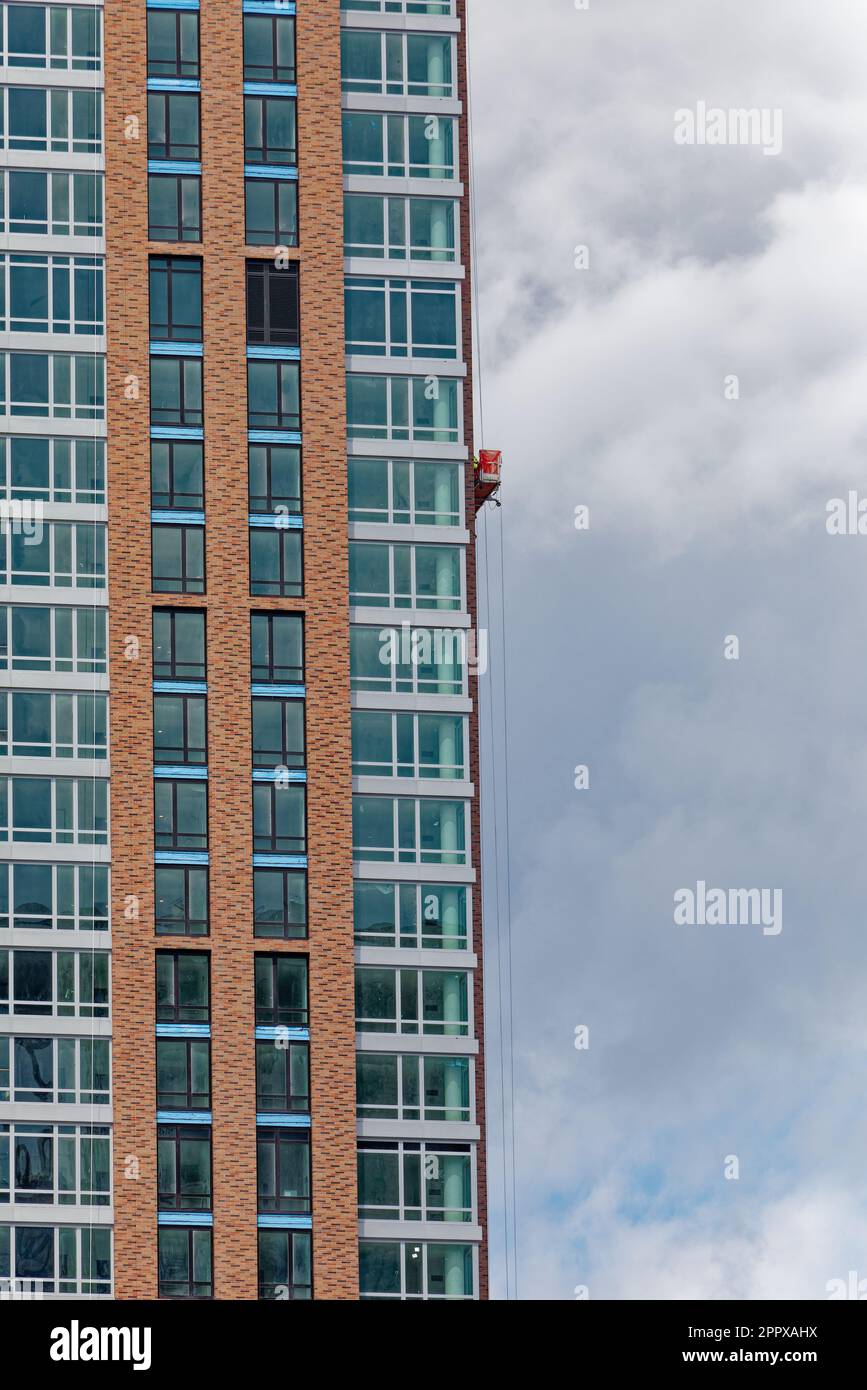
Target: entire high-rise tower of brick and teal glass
[[241, 1003]]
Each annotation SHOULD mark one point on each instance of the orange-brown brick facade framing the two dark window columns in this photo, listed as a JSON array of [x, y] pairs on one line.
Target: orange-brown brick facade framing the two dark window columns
[[229, 608]]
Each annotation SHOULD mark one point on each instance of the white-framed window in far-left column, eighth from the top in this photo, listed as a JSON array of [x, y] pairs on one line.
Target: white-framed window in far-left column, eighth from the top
[[53, 640]]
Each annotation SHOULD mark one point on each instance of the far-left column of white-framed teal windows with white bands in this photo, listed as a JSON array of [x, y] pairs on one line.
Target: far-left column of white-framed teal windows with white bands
[[56, 1018]]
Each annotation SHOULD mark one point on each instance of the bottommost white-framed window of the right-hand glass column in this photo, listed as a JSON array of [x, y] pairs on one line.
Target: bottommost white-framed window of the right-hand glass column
[[398, 1270]]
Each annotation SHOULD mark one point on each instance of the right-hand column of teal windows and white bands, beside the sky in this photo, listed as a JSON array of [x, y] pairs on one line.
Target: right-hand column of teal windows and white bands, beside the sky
[[411, 516]]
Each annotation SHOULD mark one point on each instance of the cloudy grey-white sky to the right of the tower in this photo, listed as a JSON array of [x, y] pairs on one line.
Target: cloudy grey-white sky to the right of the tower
[[606, 387]]
